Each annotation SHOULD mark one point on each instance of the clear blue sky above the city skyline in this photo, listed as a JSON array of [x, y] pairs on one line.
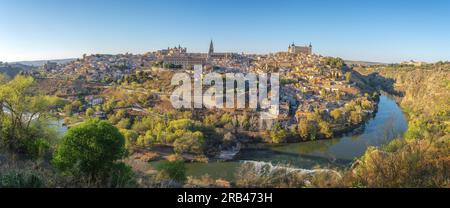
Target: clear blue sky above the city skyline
[[380, 30]]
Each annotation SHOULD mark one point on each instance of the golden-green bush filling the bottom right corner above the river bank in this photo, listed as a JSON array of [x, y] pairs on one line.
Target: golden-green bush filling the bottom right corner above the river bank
[[416, 164]]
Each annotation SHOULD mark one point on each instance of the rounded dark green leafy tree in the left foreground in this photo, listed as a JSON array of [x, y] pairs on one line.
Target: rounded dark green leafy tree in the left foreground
[[90, 151]]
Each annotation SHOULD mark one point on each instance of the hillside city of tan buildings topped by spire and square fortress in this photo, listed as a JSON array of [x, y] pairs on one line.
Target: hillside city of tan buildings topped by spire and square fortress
[[127, 88]]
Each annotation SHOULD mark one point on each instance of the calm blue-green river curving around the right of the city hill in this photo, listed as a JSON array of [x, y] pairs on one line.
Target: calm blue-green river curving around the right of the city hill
[[388, 124]]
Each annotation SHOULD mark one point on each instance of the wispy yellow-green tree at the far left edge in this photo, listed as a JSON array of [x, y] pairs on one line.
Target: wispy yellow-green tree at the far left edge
[[22, 115]]
